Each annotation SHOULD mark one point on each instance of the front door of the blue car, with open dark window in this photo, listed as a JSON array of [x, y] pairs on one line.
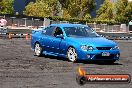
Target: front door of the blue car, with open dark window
[[55, 43]]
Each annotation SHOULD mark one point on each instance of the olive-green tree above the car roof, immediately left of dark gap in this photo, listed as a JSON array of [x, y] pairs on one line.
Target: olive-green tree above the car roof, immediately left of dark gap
[[80, 8]]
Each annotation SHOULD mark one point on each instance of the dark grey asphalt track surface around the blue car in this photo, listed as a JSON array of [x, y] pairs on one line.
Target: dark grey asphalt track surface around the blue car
[[20, 68]]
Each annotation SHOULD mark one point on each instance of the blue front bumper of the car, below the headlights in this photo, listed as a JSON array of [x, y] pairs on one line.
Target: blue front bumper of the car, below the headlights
[[97, 55]]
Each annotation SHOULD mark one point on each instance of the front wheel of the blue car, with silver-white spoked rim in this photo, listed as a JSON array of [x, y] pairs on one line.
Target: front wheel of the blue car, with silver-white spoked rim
[[71, 54]]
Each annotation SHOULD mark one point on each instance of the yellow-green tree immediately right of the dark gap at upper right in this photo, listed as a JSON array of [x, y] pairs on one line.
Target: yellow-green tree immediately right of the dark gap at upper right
[[105, 12]]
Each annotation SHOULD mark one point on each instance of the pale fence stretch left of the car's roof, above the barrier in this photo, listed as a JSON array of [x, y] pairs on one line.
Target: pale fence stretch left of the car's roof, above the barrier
[[26, 22]]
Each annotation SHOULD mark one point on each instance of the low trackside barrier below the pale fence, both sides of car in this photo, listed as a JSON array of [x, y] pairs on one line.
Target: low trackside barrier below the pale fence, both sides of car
[[24, 33]]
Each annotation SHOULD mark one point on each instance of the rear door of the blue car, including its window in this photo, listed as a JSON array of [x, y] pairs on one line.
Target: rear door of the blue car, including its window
[[47, 38]]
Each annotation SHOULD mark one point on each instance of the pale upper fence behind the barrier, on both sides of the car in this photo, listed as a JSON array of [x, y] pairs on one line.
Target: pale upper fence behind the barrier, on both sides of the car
[[35, 22]]
